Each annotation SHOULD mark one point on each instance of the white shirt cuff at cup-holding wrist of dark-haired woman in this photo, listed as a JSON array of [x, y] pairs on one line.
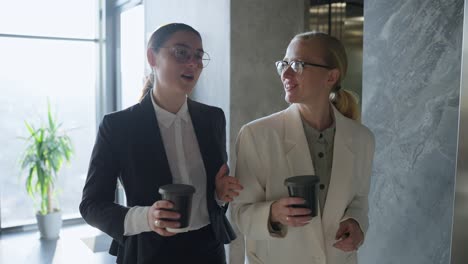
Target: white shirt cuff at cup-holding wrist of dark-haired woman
[[136, 221]]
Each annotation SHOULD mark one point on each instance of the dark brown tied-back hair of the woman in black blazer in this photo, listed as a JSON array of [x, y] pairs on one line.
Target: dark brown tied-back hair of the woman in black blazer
[[157, 40]]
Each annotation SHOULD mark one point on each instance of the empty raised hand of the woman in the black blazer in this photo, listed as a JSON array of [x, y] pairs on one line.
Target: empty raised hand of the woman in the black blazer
[[227, 187]]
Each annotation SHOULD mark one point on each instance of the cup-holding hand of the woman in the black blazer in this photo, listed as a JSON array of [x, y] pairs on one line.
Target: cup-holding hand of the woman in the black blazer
[[160, 217]]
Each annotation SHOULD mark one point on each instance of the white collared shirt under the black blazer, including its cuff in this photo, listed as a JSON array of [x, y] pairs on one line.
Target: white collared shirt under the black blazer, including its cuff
[[185, 163]]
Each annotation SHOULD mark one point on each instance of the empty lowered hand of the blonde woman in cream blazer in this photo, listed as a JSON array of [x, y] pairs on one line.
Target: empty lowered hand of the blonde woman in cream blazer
[[349, 236]]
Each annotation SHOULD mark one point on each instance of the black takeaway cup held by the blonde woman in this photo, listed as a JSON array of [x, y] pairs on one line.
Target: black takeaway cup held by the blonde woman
[[304, 186]]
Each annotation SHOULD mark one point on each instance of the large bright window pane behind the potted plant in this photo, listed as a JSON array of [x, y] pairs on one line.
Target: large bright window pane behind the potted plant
[[37, 67]]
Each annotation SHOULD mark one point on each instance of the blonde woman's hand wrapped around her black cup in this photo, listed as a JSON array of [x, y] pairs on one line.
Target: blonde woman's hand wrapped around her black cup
[[283, 212]]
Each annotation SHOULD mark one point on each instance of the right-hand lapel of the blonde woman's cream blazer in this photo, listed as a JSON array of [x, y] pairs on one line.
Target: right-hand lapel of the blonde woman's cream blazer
[[342, 168]]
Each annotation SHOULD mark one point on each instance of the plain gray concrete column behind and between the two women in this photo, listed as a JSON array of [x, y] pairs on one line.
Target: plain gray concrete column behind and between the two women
[[260, 33]]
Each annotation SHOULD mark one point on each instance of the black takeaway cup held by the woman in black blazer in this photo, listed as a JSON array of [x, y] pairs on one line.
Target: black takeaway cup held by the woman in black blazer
[[181, 197]]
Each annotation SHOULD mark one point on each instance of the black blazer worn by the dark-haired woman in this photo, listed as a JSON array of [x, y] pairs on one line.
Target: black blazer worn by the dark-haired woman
[[129, 147]]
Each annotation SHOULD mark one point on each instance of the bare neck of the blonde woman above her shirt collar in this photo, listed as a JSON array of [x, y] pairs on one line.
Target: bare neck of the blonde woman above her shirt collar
[[318, 116]]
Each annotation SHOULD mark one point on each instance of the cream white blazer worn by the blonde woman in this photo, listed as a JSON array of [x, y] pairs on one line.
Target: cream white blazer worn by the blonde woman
[[273, 148]]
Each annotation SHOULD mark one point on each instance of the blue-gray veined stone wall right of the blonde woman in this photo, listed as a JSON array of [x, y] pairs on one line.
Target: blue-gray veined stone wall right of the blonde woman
[[411, 83]]
